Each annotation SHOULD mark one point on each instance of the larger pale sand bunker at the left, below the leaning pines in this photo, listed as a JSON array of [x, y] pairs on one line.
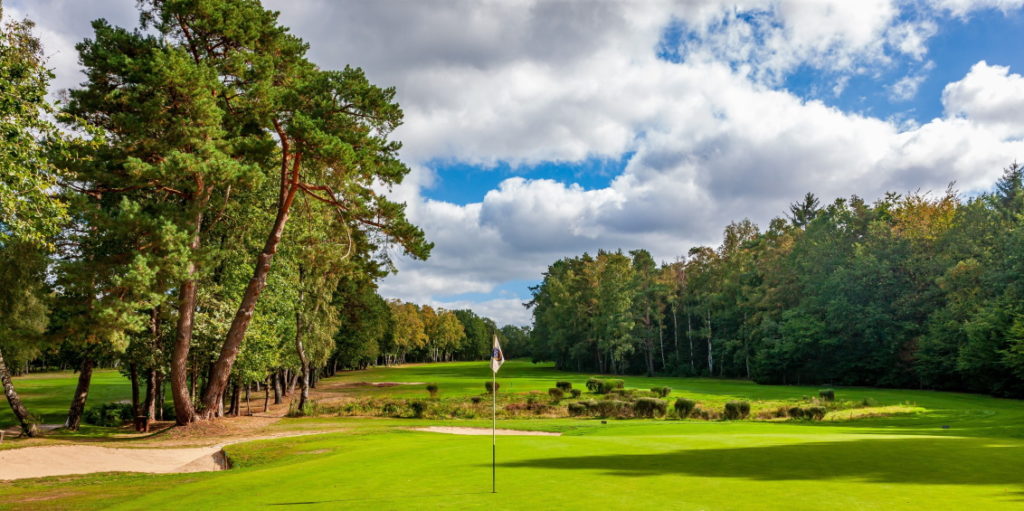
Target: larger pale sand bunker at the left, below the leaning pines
[[61, 460]]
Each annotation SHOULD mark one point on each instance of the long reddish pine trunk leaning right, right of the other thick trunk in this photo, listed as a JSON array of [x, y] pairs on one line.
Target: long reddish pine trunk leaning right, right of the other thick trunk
[[233, 342]]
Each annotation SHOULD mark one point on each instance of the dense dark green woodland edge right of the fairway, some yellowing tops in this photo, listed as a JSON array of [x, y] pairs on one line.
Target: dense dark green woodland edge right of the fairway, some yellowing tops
[[913, 290]]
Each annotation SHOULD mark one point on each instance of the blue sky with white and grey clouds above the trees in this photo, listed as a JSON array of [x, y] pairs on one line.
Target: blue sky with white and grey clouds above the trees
[[537, 131]]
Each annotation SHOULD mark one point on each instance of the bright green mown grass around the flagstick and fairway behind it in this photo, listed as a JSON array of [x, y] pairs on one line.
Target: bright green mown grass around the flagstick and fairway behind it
[[903, 462]]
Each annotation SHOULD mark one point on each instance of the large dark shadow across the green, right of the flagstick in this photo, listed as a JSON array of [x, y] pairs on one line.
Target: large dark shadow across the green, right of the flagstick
[[913, 461]]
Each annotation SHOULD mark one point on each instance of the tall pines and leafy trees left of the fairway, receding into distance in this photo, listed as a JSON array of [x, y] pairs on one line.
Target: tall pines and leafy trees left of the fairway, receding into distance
[[207, 211]]
